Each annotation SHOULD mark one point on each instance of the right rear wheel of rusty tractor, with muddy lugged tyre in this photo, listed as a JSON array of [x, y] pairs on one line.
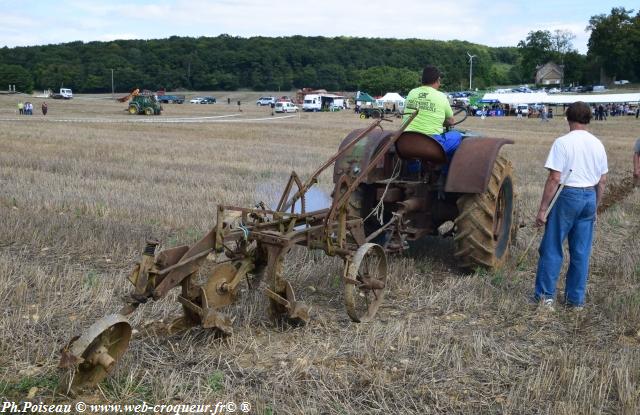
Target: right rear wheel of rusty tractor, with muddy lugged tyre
[[486, 220]]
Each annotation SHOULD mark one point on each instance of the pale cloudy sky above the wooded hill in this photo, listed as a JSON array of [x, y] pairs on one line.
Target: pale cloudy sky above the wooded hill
[[492, 23]]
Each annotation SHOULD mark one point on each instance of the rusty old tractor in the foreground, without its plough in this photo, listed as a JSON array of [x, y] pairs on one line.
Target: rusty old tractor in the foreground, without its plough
[[407, 192]]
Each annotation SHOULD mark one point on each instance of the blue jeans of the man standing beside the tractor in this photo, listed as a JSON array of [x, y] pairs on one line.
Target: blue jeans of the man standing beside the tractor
[[572, 218]]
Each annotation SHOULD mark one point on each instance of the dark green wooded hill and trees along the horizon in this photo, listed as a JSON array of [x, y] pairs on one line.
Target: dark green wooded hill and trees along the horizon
[[338, 64]]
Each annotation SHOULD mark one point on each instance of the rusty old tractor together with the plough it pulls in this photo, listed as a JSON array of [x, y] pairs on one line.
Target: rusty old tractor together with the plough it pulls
[[386, 194]]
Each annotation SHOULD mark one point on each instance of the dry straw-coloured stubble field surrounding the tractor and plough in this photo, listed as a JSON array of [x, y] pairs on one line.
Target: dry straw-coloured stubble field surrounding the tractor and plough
[[81, 190]]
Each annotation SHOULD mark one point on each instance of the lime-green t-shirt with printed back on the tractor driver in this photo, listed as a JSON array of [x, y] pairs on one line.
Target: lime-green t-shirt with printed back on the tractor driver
[[433, 108]]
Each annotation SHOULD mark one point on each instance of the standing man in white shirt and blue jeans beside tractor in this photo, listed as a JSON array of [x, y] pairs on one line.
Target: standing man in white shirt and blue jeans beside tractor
[[574, 214]]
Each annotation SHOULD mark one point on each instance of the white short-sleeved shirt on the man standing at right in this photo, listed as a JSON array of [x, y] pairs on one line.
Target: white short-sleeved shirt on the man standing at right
[[583, 154]]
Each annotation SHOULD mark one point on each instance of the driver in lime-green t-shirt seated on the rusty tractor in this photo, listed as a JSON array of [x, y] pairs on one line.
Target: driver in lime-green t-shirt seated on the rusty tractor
[[424, 138]]
